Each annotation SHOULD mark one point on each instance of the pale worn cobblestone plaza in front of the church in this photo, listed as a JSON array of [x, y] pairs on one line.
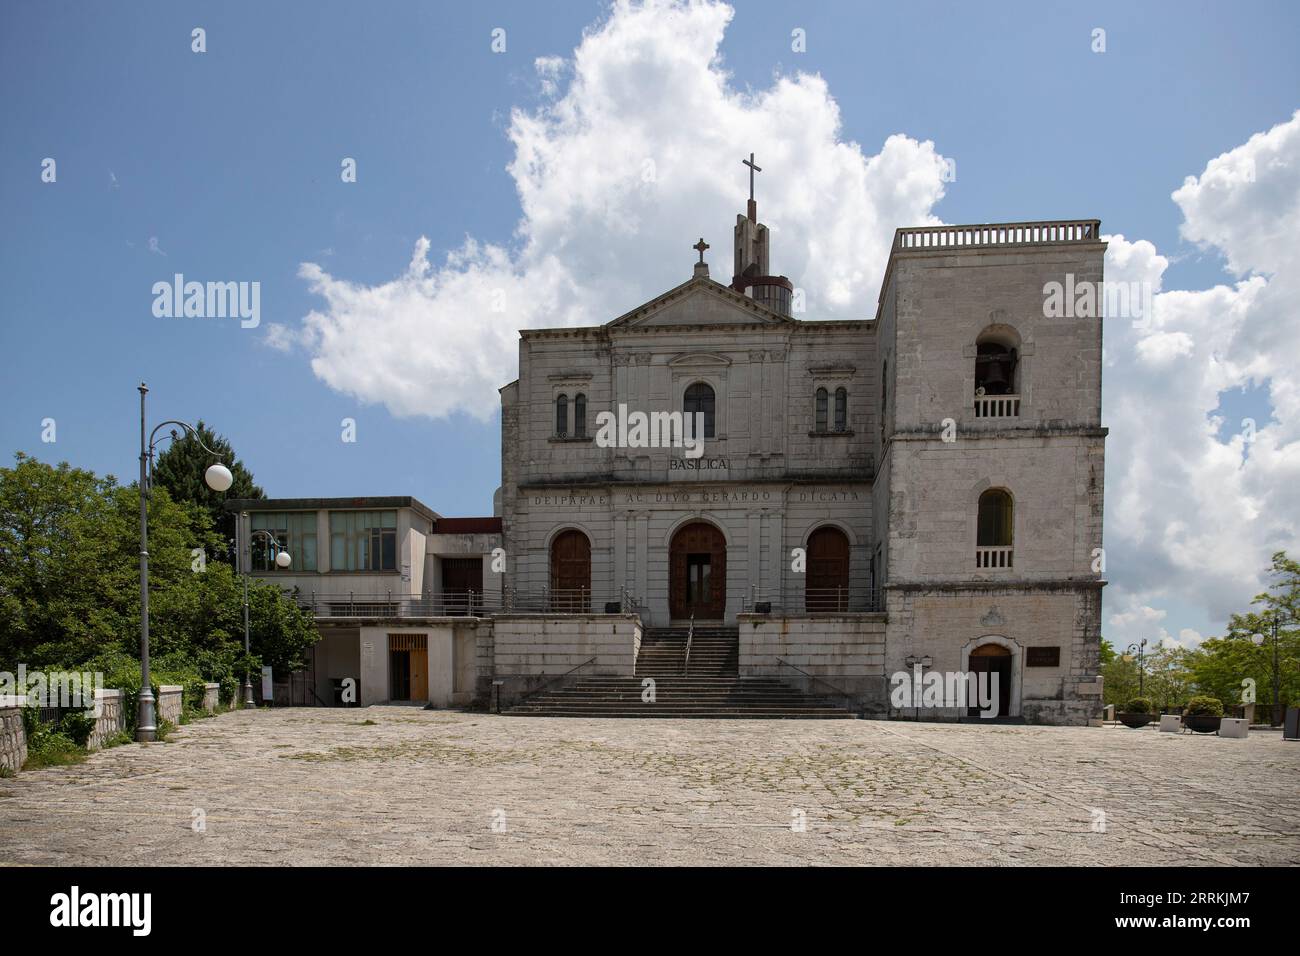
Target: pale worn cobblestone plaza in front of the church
[[398, 785]]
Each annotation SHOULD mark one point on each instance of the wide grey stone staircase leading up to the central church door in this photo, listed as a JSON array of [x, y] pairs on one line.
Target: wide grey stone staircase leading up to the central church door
[[709, 686]]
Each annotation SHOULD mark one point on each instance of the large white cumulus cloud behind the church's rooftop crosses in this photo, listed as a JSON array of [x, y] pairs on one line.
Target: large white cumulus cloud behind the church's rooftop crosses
[[632, 157]]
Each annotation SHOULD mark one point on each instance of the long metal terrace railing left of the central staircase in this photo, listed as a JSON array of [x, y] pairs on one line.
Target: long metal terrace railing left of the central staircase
[[470, 604]]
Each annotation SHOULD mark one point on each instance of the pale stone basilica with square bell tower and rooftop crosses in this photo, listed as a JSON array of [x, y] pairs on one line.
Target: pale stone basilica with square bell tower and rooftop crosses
[[915, 494]]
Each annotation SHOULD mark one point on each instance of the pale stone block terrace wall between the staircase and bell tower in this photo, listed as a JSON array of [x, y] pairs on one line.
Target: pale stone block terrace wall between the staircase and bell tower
[[846, 651]]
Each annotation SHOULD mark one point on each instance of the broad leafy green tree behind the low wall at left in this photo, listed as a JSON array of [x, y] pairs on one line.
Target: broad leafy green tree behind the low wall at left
[[70, 583]]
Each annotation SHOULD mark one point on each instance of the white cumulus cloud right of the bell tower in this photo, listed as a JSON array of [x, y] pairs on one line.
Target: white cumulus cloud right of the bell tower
[[1197, 505]]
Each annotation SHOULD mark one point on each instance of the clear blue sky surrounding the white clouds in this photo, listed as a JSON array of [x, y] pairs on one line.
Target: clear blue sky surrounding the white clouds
[[231, 161]]
